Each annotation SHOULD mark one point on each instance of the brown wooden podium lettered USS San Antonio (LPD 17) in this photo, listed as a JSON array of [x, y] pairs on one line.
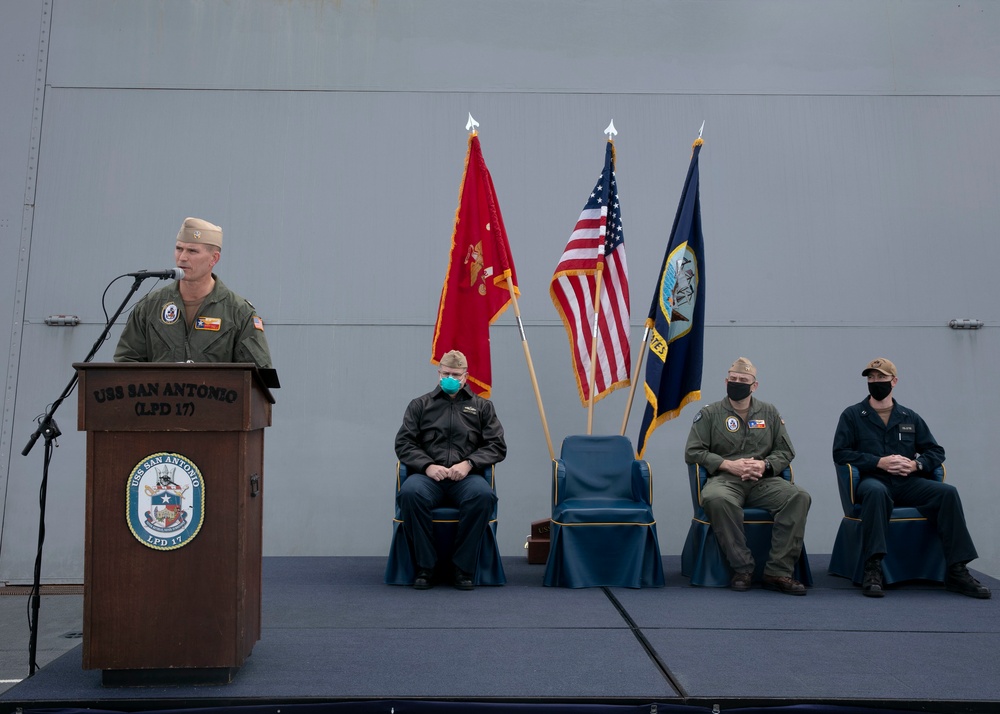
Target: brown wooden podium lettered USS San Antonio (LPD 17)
[[175, 486]]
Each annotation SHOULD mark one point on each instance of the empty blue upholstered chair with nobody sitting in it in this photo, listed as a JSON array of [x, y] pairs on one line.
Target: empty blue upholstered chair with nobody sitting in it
[[603, 531]]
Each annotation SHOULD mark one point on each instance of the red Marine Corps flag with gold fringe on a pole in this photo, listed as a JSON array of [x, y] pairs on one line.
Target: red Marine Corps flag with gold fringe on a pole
[[477, 288]]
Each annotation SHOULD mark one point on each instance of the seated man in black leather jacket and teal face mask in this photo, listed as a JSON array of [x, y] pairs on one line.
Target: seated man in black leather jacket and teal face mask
[[448, 438]]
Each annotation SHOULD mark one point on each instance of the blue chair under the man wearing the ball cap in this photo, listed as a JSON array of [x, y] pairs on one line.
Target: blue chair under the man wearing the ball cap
[[913, 547]]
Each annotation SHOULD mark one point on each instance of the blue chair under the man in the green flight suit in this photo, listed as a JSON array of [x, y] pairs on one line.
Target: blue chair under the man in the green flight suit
[[702, 559]]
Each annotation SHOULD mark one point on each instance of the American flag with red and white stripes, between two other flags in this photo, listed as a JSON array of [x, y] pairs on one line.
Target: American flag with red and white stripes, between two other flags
[[597, 242]]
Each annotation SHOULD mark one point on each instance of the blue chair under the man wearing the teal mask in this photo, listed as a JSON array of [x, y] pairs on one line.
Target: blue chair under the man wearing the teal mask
[[400, 568]]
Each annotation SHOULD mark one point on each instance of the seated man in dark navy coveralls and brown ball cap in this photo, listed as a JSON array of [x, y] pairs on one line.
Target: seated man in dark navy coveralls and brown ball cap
[[894, 453]]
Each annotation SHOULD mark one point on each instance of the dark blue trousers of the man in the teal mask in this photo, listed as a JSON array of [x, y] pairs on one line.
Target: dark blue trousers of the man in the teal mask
[[473, 497]]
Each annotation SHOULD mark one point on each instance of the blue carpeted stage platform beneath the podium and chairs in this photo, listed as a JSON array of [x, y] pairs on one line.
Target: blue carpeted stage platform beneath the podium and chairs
[[335, 636]]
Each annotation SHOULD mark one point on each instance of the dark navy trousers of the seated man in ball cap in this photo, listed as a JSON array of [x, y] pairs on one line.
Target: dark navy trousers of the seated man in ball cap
[[938, 502]]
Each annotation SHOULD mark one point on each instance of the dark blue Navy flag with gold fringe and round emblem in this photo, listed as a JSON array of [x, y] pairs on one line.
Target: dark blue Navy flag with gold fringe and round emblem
[[677, 315]]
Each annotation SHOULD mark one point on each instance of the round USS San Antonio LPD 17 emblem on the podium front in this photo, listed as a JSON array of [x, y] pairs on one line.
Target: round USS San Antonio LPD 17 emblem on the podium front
[[165, 503]]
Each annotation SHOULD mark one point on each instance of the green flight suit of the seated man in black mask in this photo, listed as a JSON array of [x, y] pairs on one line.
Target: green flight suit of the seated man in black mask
[[719, 434]]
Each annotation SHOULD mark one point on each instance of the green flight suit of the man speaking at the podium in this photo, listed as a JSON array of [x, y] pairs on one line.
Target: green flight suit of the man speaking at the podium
[[226, 329]]
